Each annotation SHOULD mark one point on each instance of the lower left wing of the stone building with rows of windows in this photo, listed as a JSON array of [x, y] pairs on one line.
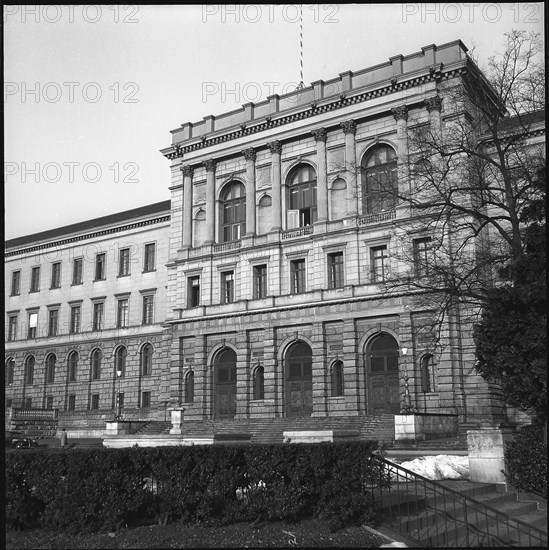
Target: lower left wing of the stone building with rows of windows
[[84, 303]]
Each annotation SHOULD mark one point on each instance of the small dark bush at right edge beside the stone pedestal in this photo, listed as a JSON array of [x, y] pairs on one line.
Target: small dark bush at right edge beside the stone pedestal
[[526, 461]]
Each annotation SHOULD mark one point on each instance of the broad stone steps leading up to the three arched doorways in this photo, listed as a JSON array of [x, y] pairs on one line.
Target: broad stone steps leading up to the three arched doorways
[[270, 430]]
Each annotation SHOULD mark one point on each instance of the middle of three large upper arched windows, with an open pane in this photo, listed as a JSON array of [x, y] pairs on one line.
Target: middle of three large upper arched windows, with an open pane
[[302, 196]]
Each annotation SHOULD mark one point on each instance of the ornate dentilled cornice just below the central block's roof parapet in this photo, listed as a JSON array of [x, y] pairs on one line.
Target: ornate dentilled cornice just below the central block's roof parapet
[[339, 102]]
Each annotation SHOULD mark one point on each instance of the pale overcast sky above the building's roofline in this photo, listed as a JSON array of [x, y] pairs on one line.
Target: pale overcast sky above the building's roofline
[[92, 92]]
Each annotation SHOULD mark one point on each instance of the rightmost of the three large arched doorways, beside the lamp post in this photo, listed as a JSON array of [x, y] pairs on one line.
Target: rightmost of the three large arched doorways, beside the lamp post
[[382, 365]]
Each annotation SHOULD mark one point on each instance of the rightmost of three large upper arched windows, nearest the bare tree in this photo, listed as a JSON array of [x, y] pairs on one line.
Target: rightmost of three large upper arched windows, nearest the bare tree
[[379, 180]]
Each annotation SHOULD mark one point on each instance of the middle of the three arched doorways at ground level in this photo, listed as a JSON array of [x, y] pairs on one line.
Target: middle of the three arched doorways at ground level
[[299, 380]]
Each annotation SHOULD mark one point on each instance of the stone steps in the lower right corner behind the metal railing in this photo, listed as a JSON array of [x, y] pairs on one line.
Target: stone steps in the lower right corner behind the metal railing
[[422, 519]]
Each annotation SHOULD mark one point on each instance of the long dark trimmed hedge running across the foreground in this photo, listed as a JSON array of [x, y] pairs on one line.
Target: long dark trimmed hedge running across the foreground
[[91, 490]]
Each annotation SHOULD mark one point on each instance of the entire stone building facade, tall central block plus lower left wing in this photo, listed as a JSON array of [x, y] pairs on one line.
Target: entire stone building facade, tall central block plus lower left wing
[[265, 286]]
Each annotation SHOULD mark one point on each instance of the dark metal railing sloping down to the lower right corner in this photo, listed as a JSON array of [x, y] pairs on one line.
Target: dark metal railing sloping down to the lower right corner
[[434, 515]]
